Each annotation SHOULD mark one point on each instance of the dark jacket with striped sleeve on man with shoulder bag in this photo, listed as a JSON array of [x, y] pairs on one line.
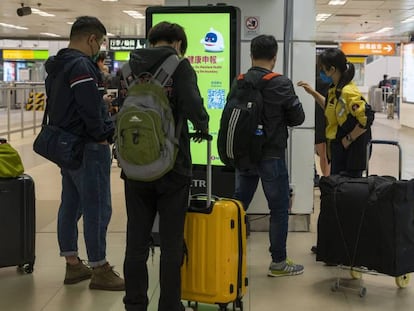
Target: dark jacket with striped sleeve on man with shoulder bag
[[74, 90]]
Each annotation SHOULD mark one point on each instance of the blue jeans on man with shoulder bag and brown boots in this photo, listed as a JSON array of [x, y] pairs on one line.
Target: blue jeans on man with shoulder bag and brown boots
[[86, 192]]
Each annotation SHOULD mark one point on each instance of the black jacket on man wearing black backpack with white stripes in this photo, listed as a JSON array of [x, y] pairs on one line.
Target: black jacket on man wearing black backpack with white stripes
[[281, 108]]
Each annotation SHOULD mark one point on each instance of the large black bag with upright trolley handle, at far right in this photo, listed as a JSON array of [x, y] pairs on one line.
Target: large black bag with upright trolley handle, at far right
[[367, 222]]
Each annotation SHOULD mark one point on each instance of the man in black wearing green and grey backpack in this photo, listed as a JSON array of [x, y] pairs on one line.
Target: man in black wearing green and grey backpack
[[162, 96]]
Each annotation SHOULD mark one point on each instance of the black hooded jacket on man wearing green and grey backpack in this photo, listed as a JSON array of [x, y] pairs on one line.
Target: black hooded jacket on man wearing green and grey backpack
[[184, 96]]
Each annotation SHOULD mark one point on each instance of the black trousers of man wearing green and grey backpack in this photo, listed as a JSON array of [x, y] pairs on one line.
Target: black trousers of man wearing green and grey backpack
[[169, 197]]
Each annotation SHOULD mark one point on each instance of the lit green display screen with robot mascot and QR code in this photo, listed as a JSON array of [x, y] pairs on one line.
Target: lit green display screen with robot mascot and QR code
[[208, 51]]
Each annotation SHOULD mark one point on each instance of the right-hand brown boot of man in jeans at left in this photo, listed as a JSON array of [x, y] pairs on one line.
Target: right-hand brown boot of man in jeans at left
[[105, 278]]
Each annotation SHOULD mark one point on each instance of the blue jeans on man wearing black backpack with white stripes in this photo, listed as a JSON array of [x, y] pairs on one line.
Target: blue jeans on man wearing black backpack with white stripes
[[275, 181]]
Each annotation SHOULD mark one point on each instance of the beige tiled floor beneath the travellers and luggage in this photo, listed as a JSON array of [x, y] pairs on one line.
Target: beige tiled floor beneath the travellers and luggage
[[44, 289]]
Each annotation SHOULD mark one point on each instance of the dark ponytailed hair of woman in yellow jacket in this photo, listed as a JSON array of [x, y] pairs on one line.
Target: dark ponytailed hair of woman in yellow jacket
[[336, 58]]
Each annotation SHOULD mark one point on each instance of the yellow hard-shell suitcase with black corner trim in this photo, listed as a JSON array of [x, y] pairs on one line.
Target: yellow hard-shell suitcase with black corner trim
[[214, 269]]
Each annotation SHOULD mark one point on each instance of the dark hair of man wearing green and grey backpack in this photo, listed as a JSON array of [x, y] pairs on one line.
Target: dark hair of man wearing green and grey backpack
[[169, 32]]
